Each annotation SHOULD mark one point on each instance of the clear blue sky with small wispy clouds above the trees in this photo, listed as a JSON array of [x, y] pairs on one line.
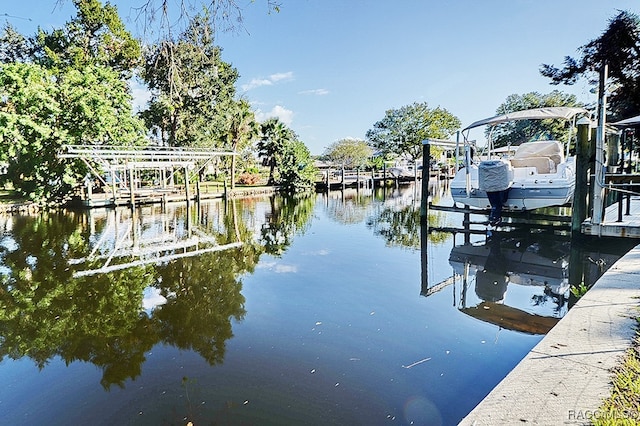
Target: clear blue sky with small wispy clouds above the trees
[[330, 69]]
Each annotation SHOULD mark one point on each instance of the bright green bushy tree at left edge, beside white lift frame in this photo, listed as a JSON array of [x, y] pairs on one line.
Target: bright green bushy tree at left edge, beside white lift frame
[[40, 112]]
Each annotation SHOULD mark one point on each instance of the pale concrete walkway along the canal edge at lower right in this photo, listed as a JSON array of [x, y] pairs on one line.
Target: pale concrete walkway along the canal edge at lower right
[[565, 377]]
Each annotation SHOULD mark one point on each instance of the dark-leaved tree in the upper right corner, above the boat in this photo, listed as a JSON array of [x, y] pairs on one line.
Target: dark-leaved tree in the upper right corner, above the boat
[[619, 48]]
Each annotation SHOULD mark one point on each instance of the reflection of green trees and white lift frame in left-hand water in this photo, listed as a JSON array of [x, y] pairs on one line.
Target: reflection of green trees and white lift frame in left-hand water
[[49, 309]]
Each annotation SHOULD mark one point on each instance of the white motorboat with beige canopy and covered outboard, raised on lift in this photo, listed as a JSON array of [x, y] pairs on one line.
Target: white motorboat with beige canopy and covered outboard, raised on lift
[[540, 173]]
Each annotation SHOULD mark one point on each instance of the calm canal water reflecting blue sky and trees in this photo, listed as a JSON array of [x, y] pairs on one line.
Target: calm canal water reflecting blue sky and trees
[[321, 310]]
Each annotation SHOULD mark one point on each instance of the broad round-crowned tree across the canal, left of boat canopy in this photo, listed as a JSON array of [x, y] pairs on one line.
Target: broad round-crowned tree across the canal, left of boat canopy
[[402, 130]]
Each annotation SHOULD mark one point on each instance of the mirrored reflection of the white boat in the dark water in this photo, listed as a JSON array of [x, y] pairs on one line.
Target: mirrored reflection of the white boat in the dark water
[[536, 270]]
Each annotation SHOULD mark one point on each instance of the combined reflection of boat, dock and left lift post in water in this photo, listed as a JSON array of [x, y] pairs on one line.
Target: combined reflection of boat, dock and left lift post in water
[[537, 268]]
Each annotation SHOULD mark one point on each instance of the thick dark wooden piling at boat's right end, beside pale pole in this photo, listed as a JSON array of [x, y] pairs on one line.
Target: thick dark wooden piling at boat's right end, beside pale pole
[[579, 210]]
